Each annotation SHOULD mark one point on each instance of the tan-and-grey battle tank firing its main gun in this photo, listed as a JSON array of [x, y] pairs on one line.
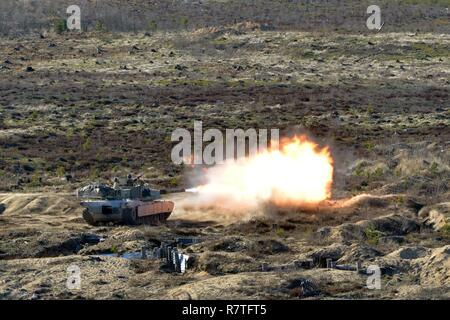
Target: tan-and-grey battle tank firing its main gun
[[126, 202]]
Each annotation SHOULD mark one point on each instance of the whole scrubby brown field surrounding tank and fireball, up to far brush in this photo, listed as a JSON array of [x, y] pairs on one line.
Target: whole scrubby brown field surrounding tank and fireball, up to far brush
[[75, 108]]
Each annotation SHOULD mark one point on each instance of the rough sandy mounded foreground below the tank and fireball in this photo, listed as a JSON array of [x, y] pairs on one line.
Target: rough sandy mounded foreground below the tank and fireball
[[281, 256]]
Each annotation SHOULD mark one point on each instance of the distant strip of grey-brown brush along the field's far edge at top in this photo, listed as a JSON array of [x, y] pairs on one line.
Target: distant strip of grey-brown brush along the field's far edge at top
[[25, 16]]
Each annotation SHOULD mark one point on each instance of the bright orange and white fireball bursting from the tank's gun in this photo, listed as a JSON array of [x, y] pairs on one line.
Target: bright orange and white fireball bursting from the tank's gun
[[298, 173]]
